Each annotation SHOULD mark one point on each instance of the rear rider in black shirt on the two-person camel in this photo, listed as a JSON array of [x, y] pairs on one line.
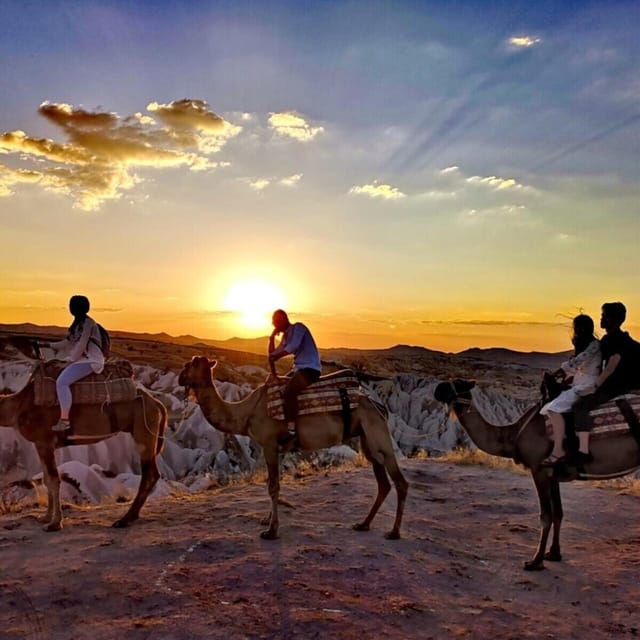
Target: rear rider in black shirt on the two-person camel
[[620, 372]]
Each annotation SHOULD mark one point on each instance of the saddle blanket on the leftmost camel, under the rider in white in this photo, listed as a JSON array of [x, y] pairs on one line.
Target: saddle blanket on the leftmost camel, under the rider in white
[[114, 384]]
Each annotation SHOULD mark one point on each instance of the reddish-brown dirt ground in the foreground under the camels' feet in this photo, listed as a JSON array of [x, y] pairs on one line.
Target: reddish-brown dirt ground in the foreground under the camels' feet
[[195, 567]]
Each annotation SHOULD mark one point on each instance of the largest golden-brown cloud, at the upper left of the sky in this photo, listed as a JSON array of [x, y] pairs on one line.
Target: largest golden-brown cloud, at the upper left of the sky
[[103, 151]]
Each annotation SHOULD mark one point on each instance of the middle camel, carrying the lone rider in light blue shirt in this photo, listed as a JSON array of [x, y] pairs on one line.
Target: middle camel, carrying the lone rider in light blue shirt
[[318, 431]]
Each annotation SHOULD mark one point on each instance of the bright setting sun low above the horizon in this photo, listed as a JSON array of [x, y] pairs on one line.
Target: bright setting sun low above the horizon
[[253, 301]]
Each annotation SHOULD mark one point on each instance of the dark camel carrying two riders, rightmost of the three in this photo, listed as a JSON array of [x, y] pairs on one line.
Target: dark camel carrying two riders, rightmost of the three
[[527, 442]]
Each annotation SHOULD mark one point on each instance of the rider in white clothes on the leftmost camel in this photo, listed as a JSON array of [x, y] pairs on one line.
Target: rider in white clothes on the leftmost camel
[[83, 349]]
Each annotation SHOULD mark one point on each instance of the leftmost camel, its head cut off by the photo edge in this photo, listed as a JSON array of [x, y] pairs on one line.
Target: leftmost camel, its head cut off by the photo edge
[[145, 418]]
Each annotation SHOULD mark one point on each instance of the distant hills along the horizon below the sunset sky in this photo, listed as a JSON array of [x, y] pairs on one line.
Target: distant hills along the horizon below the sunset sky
[[259, 346]]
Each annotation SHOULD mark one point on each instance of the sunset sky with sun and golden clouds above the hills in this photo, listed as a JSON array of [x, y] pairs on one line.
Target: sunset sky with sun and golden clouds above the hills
[[445, 174]]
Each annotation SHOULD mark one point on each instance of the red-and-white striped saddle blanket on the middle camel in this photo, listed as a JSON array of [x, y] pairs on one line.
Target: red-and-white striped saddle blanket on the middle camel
[[321, 397]]
